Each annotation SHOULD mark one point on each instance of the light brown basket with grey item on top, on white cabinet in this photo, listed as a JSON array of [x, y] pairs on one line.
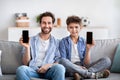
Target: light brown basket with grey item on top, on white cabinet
[[22, 20]]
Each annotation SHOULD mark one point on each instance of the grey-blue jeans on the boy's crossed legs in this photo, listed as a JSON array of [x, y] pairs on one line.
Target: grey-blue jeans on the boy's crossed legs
[[99, 65]]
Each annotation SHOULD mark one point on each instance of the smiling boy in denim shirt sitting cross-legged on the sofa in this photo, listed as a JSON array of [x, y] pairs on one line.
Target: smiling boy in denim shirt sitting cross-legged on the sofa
[[75, 53]]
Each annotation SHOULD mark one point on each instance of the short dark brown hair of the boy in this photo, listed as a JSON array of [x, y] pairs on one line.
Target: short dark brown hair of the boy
[[73, 19]]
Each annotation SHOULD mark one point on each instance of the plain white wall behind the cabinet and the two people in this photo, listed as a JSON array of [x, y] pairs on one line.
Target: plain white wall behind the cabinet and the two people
[[101, 12]]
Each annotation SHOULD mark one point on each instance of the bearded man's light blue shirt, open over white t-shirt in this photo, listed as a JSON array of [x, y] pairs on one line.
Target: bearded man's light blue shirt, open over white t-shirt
[[51, 55]]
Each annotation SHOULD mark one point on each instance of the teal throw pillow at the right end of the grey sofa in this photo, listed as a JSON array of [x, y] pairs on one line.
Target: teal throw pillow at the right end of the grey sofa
[[116, 61]]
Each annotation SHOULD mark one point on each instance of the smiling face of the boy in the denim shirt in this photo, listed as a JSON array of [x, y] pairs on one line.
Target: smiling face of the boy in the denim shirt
[[74, 29]]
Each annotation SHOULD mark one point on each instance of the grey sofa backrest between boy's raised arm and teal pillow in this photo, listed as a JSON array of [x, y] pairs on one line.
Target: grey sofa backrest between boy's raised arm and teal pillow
[[102, 48]]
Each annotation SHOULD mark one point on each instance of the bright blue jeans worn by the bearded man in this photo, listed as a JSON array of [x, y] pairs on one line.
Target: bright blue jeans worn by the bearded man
[[56, 72]]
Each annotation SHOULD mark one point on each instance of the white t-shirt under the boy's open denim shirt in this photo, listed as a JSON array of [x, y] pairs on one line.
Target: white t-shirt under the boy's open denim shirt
[[74, 53]]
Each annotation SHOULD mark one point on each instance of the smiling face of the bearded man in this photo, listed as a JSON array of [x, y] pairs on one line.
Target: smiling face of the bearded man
[[46, 25]]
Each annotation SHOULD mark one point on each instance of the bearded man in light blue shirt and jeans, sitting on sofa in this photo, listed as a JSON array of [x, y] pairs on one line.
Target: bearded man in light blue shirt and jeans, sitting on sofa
[[41, 53]]
